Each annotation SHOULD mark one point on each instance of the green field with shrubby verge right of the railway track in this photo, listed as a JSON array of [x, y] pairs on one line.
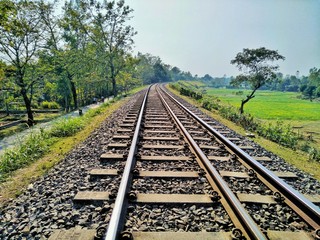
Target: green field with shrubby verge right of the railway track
[[264, 117]]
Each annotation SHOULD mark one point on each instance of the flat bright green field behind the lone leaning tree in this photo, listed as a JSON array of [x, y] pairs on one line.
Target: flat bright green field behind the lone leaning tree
[[271, 105]]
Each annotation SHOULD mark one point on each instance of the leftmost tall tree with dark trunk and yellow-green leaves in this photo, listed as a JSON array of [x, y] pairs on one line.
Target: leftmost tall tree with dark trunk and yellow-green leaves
[[21, 39]]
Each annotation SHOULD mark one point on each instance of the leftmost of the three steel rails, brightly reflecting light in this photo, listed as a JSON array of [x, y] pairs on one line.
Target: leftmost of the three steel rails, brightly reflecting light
[[119, 210]]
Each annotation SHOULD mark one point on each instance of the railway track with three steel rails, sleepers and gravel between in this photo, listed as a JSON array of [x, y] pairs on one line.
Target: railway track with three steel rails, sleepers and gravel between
[[178, 174]]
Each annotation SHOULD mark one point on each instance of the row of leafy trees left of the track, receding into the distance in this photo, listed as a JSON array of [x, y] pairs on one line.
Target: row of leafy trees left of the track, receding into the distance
[[72, 56]]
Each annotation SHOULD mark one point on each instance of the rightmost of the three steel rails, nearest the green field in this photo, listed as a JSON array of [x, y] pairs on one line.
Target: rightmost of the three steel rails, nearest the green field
[[307, 210]]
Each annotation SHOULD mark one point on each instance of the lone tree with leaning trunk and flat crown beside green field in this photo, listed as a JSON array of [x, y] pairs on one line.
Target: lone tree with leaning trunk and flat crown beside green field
[[257, 68]]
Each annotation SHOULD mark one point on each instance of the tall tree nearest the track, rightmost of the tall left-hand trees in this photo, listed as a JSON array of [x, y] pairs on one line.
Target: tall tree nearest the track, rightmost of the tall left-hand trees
[[106, 25]]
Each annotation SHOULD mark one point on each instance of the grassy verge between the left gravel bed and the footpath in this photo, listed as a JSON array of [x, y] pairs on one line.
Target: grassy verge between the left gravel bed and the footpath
[[42, 150]]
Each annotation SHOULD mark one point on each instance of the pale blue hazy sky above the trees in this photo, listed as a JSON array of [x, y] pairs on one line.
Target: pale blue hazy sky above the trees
[[203, 36]]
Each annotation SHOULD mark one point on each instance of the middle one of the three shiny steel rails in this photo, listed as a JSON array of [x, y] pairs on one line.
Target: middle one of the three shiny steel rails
[[251, 229]]
